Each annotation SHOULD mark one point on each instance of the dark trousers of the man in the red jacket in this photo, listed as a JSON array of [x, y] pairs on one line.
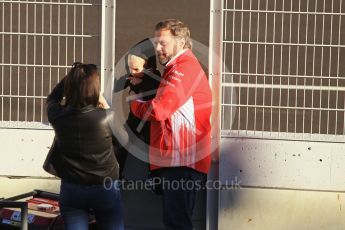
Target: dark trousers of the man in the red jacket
[[178, 187]]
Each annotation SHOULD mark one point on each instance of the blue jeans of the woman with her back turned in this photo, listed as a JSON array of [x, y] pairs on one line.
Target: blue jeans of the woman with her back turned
[[77, 200]]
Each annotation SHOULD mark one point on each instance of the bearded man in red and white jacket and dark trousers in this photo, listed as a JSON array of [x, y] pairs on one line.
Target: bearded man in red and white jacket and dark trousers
[[180, 123]]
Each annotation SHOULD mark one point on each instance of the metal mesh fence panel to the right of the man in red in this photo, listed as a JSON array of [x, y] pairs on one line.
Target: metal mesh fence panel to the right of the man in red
[[284, 73]]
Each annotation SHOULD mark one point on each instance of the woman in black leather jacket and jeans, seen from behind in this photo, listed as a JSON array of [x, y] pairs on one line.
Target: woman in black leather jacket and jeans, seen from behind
[[86, 161]]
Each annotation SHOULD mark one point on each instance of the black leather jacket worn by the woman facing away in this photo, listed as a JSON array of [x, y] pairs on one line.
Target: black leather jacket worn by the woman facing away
[[84, 139]]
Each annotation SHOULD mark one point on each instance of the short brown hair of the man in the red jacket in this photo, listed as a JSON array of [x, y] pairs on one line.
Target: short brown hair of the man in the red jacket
[[177, 28]]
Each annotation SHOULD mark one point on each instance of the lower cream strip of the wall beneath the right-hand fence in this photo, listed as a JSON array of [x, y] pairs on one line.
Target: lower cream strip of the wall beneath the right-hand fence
[[275, 209]]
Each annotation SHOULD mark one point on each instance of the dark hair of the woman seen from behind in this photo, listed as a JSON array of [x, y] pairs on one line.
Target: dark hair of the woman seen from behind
[[82, 86]]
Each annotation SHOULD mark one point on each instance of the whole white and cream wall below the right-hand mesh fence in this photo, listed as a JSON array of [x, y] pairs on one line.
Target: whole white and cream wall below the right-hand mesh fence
[[281, 185]]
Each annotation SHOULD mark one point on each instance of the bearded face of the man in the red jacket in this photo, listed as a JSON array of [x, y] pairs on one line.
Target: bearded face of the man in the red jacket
[[167, 45]]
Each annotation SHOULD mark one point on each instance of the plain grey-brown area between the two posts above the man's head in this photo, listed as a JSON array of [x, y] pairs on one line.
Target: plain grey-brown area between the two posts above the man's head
[[136, 19]]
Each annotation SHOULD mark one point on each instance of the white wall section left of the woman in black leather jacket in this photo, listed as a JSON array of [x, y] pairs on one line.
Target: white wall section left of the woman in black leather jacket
[[22, 153]]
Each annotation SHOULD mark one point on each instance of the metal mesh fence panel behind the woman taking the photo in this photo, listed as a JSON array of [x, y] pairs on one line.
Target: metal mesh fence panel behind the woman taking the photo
[[39, 41]]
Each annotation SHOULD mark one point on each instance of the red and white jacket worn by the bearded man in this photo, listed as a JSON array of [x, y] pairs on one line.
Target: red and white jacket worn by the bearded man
[[180, 116]]
